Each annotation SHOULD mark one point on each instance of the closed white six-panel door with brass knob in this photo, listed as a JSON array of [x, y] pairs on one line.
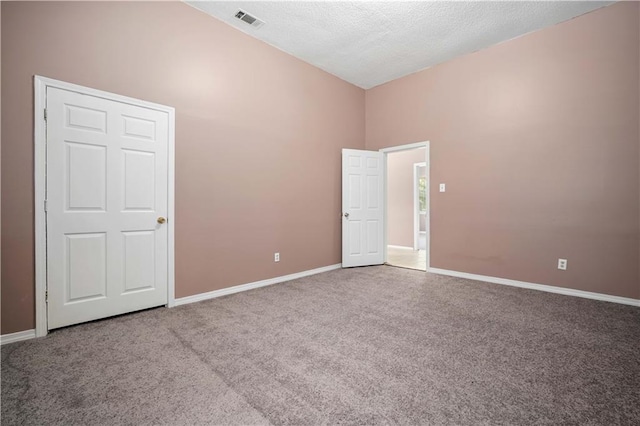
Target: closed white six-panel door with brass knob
[[107, 194]]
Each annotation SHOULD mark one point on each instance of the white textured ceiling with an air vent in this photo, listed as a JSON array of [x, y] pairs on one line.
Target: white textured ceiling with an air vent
[[368, 43]]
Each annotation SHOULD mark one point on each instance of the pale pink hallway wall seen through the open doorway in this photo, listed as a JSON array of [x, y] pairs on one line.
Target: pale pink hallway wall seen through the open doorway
[[400, 195]]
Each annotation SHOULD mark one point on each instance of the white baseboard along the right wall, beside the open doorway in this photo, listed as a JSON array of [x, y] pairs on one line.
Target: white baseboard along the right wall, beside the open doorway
[[540, 287]]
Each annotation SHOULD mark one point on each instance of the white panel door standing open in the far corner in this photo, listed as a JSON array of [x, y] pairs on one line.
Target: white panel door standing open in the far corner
[[362, 208]]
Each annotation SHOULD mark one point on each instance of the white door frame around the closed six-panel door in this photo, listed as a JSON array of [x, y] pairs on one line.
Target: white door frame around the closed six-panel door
[[40, 164]]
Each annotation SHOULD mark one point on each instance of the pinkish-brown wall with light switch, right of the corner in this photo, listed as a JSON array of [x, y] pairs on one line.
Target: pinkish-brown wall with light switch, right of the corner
[[537, 140]]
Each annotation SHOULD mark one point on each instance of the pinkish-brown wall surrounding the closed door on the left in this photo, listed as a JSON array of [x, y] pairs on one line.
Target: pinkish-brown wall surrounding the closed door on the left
[[258, 137]]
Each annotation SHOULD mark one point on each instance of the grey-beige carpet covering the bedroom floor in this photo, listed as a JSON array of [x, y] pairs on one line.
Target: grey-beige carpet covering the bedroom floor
[[375, 345]]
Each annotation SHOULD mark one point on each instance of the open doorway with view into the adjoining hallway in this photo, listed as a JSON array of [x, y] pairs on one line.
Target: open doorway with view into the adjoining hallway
[[407, 206]]
